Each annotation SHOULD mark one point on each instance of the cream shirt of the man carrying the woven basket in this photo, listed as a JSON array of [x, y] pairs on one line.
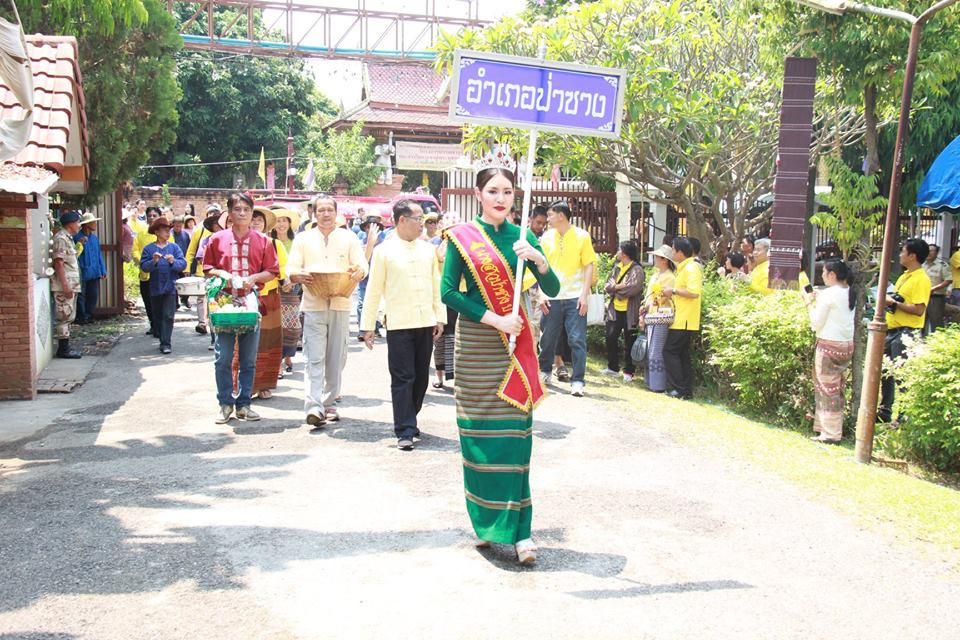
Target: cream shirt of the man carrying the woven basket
[[337, 252]]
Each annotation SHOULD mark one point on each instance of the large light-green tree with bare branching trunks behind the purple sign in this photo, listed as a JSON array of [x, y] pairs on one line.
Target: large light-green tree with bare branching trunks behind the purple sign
[[701, 113]]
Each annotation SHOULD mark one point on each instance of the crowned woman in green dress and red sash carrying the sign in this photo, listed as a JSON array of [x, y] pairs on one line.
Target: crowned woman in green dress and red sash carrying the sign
[[495, 390]]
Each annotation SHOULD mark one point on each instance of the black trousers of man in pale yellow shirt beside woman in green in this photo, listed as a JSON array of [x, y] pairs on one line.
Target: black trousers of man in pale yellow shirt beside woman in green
[[408, 357]]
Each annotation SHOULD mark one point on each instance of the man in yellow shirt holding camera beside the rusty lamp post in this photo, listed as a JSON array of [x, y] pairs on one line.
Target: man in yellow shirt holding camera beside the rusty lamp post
[[906, 312]]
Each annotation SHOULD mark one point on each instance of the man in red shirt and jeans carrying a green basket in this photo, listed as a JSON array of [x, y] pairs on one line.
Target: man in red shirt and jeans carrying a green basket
[[247, 258]]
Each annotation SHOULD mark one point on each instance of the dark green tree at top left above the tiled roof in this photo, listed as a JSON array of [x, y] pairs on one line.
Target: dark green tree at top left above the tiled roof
[[126, 55]]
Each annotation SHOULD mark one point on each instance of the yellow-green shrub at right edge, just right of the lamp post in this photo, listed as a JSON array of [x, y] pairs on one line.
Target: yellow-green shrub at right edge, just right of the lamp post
[[930, 403]]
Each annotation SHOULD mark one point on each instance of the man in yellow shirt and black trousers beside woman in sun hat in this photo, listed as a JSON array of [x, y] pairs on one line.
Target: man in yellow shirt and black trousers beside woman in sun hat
[[685, 294]]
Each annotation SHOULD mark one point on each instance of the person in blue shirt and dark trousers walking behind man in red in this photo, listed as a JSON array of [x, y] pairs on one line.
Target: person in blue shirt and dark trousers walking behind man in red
[[164, 261]]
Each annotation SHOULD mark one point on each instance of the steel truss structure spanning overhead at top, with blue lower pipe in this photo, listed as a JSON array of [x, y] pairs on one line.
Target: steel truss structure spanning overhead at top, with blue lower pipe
[[319, 31]]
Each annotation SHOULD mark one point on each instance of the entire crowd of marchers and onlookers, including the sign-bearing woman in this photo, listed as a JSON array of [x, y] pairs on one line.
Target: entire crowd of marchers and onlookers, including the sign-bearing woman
[[444, 290]]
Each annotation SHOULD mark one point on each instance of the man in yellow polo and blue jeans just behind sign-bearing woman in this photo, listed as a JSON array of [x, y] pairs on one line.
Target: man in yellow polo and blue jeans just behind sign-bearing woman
[[569, 251]]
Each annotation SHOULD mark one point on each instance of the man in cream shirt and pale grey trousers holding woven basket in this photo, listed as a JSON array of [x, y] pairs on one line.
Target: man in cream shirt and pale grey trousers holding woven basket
[[326, 321]]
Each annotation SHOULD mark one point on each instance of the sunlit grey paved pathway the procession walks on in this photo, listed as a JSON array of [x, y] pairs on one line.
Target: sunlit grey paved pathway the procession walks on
[[133, 515]]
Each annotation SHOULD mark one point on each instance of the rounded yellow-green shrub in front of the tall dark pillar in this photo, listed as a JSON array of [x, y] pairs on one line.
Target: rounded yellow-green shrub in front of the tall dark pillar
[[760, 348]]
